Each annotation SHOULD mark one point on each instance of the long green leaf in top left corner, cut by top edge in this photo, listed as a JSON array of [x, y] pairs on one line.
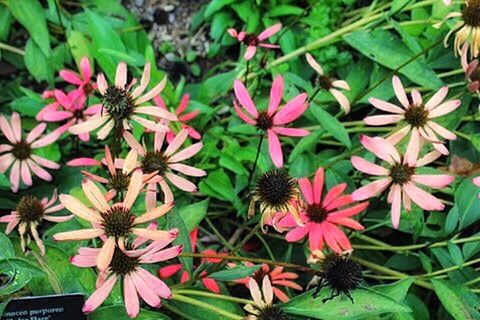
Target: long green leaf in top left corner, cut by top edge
[[30, 14]]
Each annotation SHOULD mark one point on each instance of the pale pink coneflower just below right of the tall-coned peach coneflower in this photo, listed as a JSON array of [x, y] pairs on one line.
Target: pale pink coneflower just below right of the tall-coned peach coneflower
[[164, 163]]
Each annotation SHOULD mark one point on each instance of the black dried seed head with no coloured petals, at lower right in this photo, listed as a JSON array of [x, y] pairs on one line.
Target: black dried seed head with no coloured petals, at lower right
[[341, 274]]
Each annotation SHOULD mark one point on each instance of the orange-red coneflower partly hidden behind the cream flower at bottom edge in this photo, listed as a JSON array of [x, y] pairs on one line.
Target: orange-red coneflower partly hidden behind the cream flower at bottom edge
[[276, 276]]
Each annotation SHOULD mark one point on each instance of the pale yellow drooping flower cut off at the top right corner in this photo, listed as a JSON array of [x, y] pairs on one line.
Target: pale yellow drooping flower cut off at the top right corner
[[467, 29]]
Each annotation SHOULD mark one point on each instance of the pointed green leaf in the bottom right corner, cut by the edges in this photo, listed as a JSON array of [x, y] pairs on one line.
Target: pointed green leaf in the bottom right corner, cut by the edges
[[457, 299]]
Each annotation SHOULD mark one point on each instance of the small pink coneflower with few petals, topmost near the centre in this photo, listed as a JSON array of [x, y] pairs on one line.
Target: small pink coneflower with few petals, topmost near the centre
[[252, 41]]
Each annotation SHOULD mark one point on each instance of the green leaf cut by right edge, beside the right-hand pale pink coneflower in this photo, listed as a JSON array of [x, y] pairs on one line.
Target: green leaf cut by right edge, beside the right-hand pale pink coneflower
[[467, 201]]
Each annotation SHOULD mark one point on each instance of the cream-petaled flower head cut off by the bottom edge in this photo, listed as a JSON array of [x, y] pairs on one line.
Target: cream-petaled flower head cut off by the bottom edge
[[263, 309]]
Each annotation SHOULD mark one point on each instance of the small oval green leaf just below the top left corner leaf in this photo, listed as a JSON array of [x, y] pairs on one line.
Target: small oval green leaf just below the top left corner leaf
[[37, 62]]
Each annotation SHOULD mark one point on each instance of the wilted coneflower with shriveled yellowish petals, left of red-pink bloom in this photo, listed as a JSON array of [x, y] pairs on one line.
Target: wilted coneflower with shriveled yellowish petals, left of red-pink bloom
[[277, 193]]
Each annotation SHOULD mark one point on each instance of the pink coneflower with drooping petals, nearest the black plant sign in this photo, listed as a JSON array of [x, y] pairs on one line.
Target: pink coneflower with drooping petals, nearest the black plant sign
[[125, 266]]
